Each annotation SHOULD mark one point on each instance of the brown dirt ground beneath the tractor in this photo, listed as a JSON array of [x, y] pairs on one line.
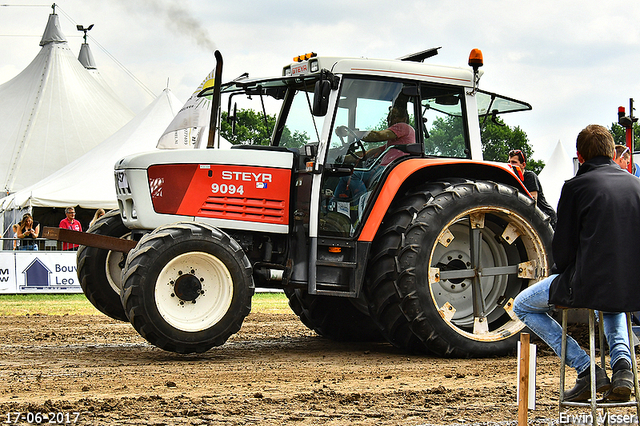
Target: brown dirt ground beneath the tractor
[[273, 372]]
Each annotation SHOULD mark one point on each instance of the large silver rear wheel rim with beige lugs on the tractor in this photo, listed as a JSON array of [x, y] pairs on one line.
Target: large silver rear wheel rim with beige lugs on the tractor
[[505, 236]]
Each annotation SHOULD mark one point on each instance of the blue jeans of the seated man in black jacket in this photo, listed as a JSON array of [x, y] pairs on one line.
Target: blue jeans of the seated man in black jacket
[[533, 308]]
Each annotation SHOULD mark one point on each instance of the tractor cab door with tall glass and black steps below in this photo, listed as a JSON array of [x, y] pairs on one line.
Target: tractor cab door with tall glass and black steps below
[[354, 169]]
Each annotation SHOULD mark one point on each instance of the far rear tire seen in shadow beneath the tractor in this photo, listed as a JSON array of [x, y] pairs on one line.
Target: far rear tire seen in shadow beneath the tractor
[[336, 318]]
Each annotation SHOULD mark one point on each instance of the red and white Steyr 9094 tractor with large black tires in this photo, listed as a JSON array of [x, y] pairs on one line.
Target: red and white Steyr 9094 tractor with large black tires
[[419, 242]]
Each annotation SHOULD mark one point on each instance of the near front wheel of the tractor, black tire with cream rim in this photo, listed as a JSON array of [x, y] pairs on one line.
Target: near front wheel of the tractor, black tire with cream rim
[[187, 287]]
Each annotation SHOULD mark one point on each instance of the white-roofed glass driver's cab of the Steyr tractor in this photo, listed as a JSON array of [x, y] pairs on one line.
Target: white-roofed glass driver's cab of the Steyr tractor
[[348, 123]]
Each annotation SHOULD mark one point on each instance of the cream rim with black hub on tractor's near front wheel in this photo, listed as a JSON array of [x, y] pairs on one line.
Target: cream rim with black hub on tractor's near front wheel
[[194, 291]]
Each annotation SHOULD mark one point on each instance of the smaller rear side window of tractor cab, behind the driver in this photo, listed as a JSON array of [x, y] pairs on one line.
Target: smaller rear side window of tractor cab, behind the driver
[[443, 121]]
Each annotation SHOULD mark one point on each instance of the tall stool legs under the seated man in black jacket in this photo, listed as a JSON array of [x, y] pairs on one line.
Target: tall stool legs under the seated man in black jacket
[[595, 403]]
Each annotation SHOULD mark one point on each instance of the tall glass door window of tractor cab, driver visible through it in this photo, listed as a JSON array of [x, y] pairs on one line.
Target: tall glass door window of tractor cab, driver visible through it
[[374, 123]]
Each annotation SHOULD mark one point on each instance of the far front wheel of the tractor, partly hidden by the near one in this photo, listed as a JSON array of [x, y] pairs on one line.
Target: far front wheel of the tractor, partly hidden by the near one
[[100, 271]]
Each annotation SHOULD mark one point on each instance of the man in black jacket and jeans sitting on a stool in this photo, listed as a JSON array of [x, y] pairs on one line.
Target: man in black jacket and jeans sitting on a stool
[[595, 265]]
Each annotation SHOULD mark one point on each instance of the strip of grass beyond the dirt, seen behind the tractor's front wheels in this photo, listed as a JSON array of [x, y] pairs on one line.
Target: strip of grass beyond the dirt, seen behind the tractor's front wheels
[[77, 304]]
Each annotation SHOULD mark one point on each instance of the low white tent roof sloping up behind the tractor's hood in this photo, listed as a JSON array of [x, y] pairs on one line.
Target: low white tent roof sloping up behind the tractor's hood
[[88, 181]]
